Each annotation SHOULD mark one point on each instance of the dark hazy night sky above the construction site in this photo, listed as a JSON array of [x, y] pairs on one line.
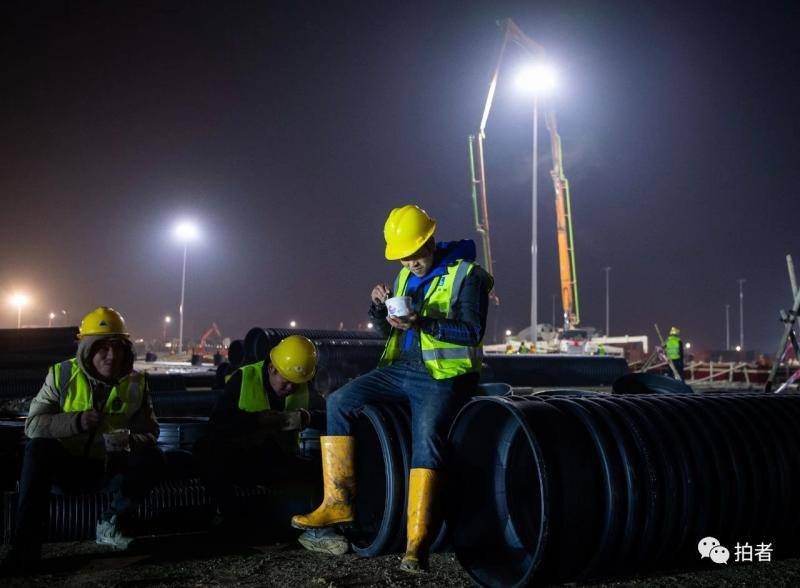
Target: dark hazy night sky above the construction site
[[289, 130]]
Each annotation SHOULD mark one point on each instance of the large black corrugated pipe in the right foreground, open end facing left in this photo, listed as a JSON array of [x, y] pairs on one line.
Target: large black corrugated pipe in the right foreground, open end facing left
[[555, 488]]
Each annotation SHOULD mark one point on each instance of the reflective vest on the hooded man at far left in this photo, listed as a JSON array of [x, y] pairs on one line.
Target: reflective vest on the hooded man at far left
[[75, 395]]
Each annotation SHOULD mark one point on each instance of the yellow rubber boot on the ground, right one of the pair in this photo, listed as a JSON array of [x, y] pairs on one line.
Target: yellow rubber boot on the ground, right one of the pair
[[422, 488]]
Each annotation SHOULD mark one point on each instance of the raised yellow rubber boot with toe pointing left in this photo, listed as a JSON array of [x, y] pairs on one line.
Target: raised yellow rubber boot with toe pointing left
[[339, 485]]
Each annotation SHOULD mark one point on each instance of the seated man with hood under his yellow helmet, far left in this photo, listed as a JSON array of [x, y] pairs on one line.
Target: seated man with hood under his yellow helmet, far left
[[70, 426]]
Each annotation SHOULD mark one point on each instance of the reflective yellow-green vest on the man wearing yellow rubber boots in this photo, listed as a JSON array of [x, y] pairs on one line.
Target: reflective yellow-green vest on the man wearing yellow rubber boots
[[443, 360]]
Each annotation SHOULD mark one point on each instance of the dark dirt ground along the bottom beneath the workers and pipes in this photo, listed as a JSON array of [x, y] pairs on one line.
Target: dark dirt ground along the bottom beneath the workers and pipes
[[198, 561]]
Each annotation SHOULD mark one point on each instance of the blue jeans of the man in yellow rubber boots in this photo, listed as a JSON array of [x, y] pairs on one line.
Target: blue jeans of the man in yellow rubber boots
[[433, 404]]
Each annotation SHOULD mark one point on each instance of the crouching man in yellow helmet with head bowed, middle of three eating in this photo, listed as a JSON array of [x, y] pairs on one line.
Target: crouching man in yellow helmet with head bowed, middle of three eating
[[256, 422]]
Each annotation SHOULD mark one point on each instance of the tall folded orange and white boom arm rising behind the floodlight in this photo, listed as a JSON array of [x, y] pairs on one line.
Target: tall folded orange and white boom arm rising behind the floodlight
[[566, 249]]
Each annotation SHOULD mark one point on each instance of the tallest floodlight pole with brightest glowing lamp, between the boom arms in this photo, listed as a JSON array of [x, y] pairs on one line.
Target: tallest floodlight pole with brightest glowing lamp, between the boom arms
[[537, 79]]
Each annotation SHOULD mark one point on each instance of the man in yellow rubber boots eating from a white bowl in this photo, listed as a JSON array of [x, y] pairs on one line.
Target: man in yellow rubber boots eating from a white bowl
[[431, 362]]
